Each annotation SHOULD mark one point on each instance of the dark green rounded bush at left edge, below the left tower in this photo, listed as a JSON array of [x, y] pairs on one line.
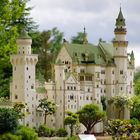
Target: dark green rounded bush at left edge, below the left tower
[[8, 120]]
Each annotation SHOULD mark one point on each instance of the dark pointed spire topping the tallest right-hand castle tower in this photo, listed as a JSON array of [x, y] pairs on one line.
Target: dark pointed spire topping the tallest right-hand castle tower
[[120, 21]]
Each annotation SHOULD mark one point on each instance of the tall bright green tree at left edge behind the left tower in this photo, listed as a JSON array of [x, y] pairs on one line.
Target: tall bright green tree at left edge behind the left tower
[[11, 22]]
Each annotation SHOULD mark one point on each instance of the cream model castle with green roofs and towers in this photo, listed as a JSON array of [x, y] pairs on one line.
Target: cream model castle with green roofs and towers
[[83, 73]]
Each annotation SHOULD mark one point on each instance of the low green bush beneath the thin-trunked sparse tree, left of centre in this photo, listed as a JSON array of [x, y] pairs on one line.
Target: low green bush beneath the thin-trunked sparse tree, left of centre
[[45, 131]]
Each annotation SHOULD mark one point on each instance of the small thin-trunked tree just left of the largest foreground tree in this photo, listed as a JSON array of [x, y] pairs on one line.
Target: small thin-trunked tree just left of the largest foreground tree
[[71, 120]]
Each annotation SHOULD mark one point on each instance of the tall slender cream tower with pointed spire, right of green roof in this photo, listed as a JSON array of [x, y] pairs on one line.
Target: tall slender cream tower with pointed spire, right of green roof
[[120, 55]]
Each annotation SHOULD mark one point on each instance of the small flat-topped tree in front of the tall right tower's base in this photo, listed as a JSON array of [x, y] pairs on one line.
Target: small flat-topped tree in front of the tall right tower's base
[[120, 103]]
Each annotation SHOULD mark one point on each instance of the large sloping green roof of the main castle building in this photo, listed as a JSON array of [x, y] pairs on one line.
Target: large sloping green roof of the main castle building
[[88, 53]]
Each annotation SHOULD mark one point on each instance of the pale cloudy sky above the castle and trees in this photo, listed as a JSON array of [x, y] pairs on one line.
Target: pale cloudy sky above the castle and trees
[[98, 17]]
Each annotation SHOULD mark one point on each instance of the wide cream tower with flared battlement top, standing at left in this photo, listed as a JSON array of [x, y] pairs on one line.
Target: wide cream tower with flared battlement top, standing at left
[[23, 82]]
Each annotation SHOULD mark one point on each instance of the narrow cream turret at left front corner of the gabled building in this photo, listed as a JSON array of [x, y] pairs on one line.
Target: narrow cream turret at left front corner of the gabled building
[[60, 94]]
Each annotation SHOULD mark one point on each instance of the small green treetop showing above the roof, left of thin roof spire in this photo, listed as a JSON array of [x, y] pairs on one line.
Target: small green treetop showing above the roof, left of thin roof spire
[[79, 38]]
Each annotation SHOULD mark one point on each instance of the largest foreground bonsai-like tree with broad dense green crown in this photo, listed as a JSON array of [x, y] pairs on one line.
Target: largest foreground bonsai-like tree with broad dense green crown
[[90, 115]]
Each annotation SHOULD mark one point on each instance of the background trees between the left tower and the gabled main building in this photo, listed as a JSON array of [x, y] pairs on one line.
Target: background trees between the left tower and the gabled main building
[[47, 47]]
